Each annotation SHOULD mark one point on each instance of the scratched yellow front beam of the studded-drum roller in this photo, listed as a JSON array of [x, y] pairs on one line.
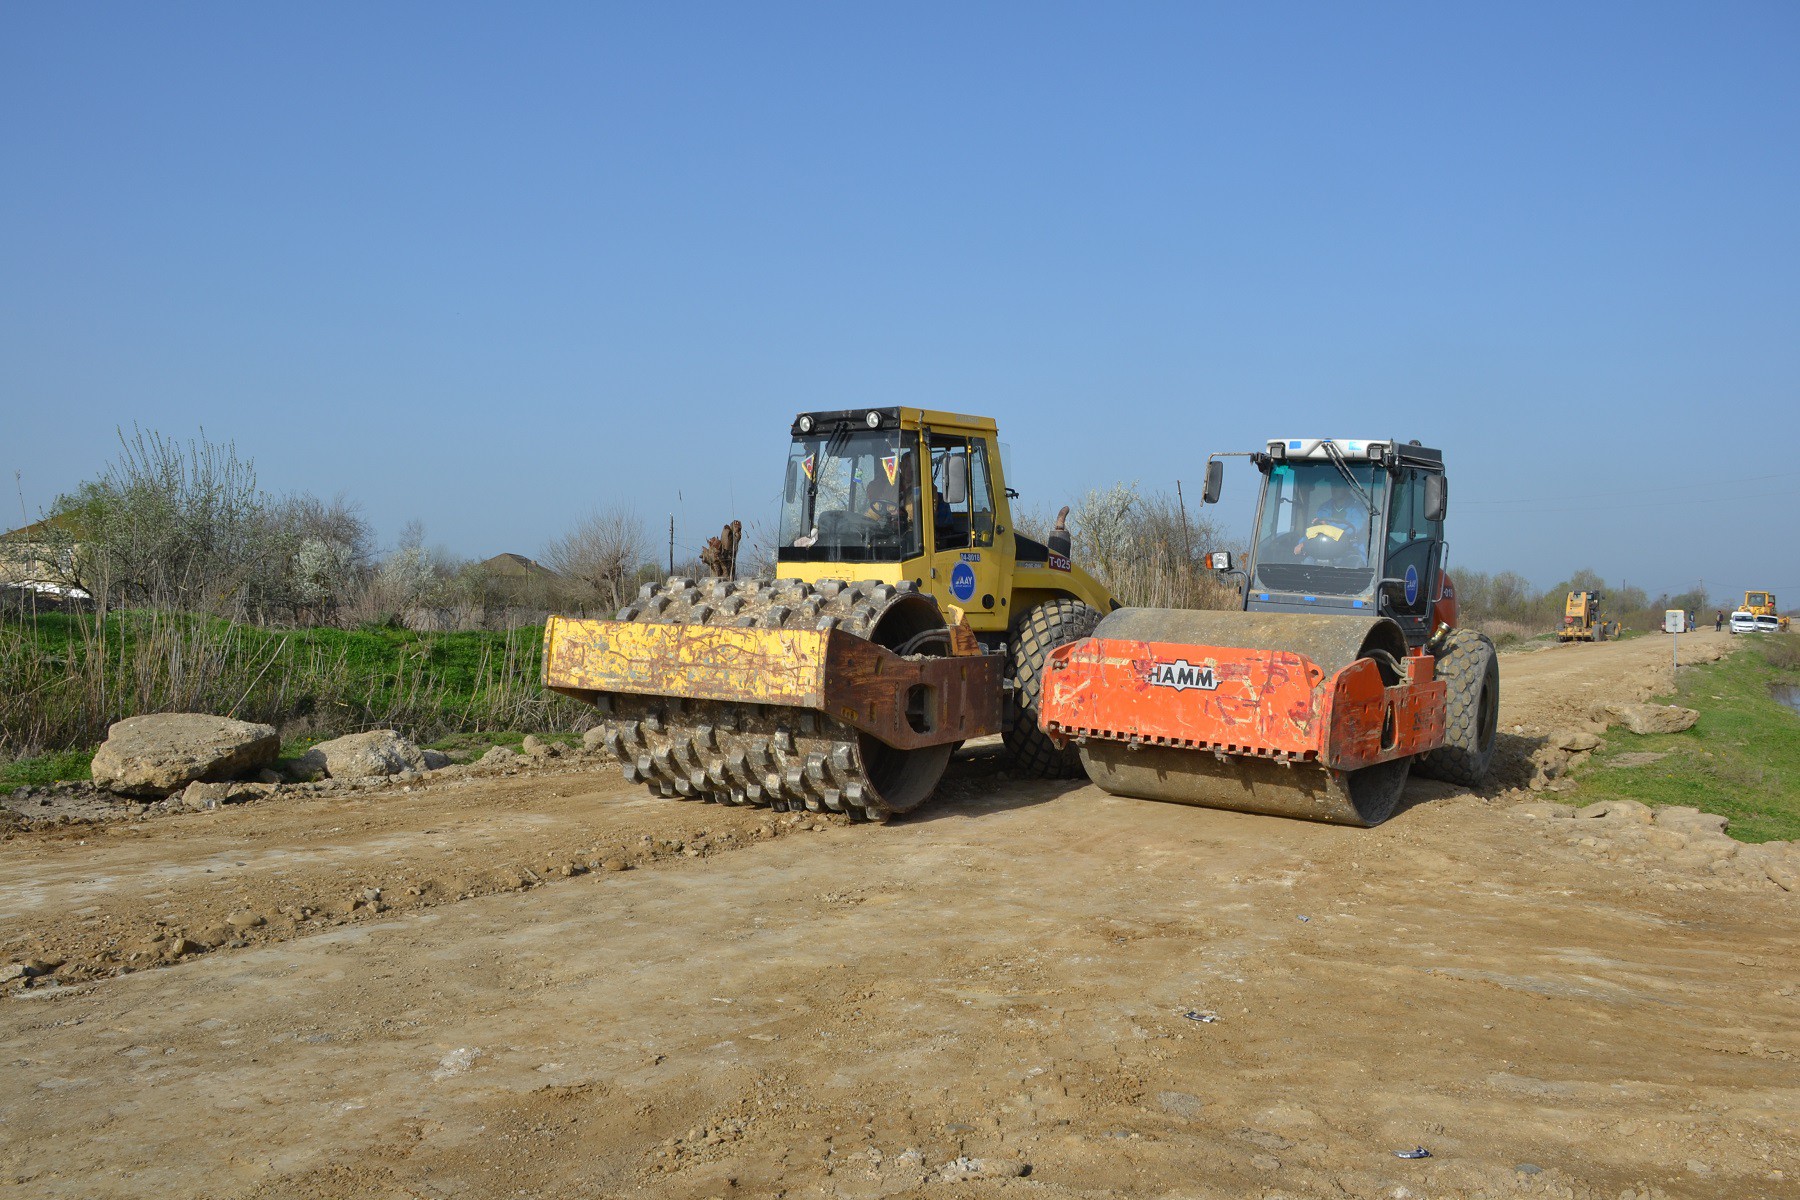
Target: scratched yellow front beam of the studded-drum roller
[[703, 663]]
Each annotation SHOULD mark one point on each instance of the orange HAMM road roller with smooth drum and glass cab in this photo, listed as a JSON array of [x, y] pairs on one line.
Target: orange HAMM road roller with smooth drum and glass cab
[[1340, 674]]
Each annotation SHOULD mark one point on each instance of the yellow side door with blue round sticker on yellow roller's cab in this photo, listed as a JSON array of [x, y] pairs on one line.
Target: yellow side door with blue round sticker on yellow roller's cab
[[966, 546]]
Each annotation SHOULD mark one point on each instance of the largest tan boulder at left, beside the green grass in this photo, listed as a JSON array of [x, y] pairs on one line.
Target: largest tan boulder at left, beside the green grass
[[165, 753]]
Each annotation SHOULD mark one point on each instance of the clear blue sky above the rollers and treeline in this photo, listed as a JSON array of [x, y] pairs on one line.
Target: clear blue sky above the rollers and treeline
[[492, 265]]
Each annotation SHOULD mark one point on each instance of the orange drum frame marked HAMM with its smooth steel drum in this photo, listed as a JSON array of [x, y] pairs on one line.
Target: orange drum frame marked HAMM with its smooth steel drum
[[1270, 713]]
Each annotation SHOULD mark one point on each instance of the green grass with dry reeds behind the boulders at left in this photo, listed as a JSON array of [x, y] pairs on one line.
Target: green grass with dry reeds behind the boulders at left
[[64, 679]]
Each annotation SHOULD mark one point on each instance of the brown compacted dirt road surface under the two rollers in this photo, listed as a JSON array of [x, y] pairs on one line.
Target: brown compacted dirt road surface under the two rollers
[[501, 989]]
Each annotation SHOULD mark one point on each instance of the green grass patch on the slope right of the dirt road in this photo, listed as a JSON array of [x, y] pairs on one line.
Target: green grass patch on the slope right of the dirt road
[[1743, 757]]
